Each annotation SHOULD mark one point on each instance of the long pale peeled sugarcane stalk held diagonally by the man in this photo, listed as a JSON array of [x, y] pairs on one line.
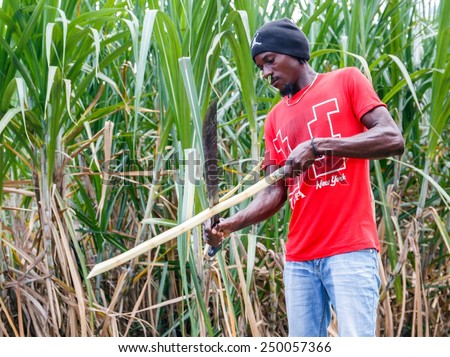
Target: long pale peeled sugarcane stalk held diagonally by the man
[[185, 226]]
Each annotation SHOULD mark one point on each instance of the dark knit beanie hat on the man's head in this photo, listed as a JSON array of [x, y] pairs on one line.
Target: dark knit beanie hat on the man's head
[[281, 36]]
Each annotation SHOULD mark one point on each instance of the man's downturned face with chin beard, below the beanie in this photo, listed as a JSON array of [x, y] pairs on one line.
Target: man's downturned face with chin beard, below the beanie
[[283, 71]]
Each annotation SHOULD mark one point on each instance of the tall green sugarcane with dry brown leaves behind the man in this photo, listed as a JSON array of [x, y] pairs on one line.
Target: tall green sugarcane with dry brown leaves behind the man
[[100, 119]]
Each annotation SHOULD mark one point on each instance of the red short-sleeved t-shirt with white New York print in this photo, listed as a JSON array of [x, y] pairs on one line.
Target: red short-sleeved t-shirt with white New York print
[[332, 201]]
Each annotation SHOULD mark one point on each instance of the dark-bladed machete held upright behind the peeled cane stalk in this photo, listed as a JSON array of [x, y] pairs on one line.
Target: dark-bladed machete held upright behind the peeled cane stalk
[[209, 141]]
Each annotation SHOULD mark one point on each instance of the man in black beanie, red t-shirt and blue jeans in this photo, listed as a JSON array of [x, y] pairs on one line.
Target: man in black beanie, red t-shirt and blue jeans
[[323, 132]]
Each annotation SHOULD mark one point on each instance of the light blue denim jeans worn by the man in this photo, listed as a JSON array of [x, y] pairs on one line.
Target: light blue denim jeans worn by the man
[[348, 282]]
